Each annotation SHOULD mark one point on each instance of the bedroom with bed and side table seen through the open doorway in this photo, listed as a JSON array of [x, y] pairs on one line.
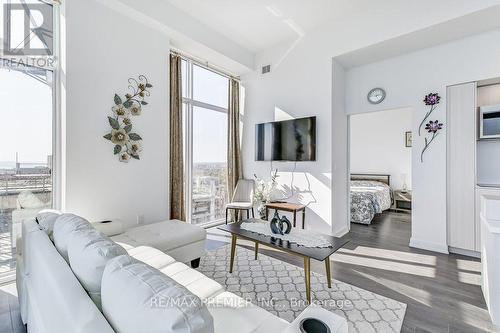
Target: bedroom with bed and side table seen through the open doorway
[[380, 163]]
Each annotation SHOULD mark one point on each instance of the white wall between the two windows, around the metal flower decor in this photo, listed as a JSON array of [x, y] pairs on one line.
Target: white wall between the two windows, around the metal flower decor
[[103, 50]]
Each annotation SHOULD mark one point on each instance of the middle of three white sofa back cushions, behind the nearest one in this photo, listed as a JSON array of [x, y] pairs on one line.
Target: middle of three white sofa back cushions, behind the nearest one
[[88, 253]]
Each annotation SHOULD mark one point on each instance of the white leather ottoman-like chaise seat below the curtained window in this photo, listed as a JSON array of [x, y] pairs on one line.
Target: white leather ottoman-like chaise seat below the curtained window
[[182, 241]]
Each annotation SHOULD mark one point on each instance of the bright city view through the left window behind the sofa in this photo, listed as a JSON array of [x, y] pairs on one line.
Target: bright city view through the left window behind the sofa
[[26, 154]]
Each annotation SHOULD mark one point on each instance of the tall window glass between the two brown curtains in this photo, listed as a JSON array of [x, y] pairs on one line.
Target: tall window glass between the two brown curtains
[[205, 104]]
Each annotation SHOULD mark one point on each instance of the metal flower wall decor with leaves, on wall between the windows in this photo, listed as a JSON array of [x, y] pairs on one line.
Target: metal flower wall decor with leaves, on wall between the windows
[[127, 144]]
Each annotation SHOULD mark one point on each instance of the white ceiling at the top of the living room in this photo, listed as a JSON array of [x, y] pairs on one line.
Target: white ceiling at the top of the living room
[[259, 24]]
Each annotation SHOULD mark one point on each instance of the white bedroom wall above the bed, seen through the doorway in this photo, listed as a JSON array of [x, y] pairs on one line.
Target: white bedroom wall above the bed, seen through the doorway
[[377, 144]]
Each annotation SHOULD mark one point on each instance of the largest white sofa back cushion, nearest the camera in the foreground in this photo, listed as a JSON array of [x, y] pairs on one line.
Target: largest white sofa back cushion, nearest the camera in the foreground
[[138, 298]]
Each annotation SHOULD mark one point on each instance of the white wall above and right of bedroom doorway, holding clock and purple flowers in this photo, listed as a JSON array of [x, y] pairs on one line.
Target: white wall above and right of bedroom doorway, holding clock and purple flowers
[[407, 79]]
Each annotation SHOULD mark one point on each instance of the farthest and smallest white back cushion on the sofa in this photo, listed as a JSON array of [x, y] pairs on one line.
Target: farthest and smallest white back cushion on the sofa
[[64, 227]]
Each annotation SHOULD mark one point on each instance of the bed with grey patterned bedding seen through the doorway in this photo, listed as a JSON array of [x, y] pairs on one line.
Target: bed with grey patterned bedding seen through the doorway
[[370, 195]]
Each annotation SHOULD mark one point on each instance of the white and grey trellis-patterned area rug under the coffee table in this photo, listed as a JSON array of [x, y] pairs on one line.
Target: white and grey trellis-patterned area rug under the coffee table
[[279, 288]]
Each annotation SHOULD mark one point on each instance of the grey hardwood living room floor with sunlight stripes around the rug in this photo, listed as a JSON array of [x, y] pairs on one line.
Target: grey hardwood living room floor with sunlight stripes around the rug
[[442, 292]]
